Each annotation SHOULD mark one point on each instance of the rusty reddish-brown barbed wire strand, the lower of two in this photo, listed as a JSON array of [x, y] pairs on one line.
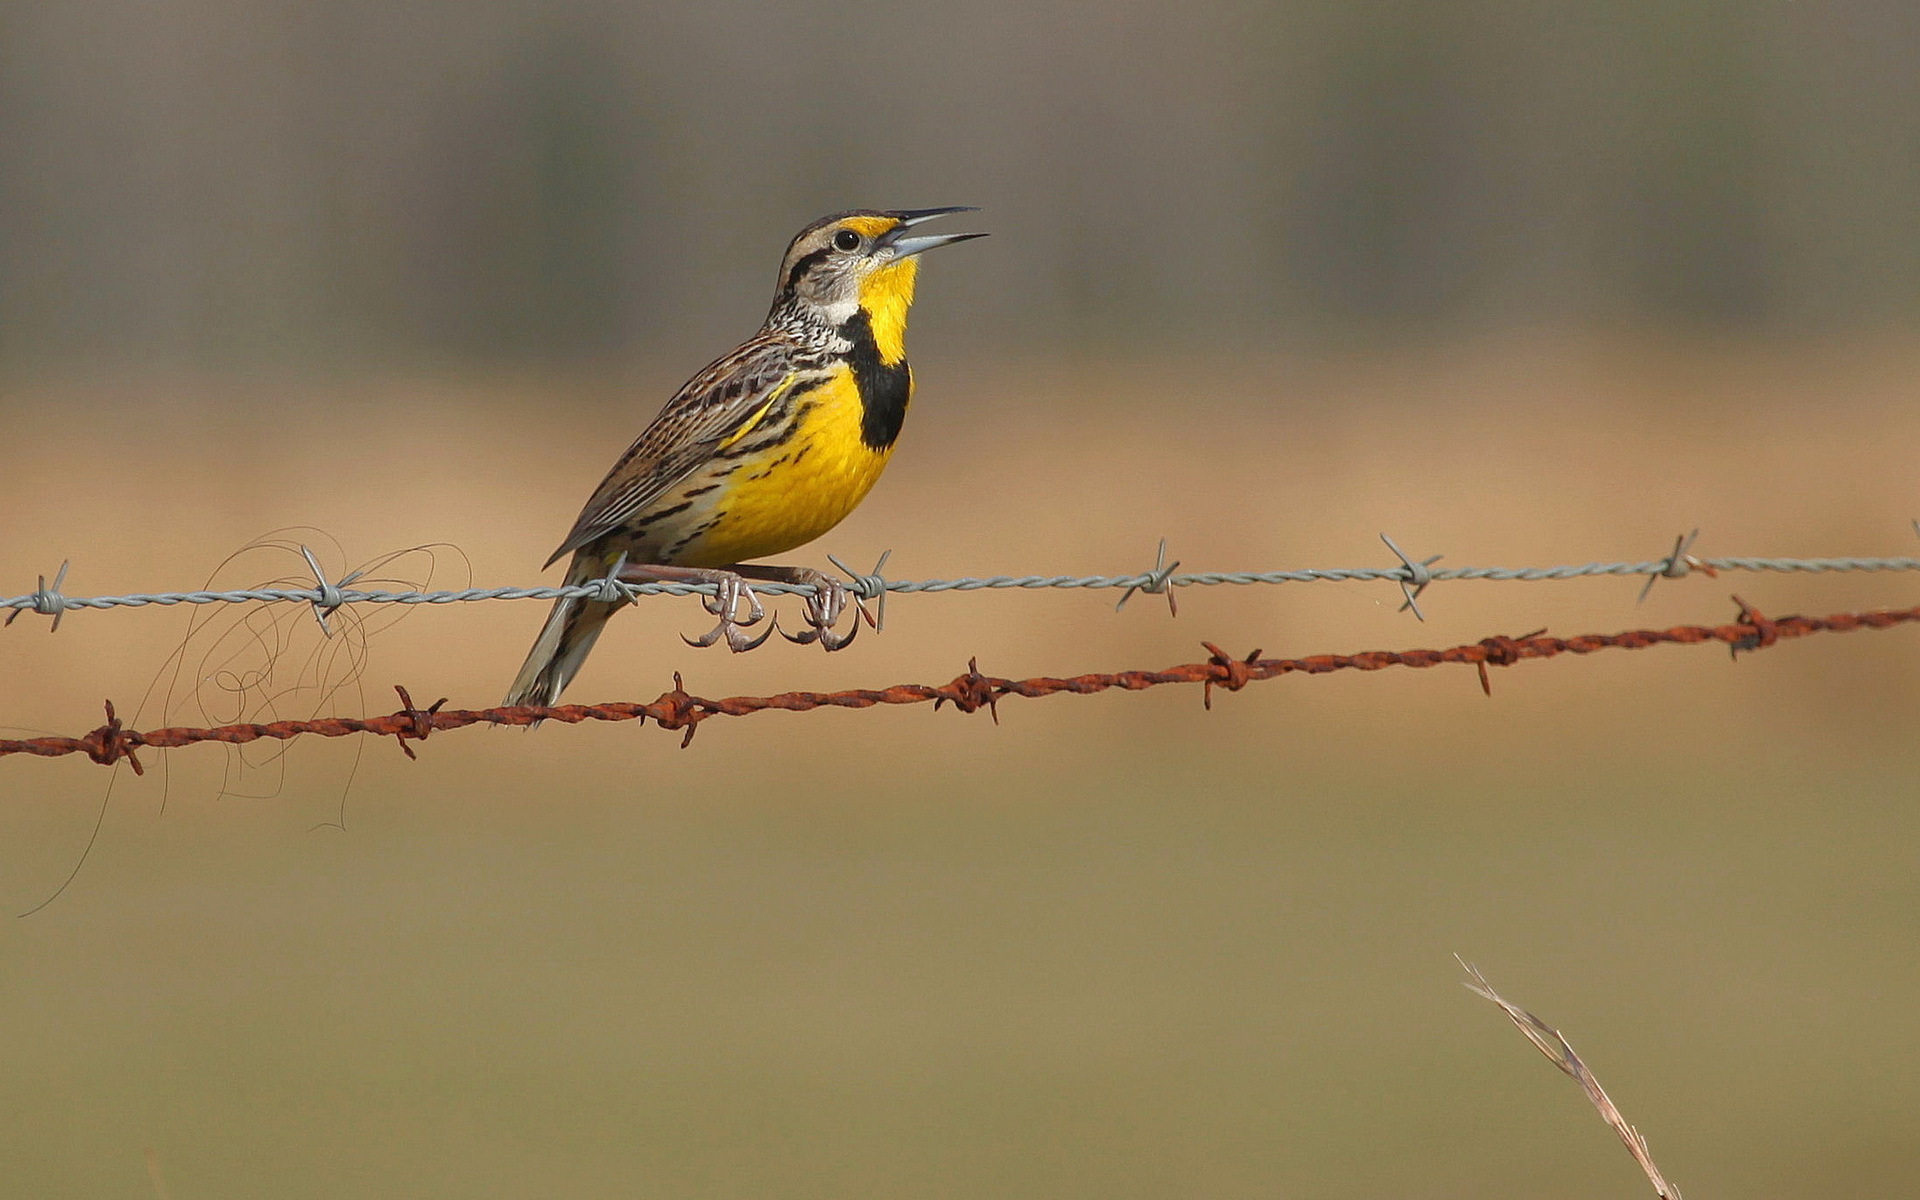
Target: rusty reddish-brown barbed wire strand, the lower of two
[[971, 692]]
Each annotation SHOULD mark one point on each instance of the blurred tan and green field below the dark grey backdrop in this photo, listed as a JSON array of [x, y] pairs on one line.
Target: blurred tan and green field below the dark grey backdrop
[[1113, 948]]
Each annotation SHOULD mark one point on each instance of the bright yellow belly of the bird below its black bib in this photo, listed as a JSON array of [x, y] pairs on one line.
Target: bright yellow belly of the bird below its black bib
[[798, 491]]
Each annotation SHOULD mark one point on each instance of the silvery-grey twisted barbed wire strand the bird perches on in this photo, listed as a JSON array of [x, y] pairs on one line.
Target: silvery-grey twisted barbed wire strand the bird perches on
[[1412, 575]]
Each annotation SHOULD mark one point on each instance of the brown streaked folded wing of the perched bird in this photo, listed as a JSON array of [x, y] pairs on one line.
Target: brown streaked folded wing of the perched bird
[[706, 412]]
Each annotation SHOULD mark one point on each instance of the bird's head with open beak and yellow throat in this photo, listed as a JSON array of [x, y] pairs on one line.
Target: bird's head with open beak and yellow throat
[[859, 260]]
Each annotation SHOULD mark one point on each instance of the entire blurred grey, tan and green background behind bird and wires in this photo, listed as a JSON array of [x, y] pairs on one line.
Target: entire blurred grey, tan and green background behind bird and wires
[[1520, 283]]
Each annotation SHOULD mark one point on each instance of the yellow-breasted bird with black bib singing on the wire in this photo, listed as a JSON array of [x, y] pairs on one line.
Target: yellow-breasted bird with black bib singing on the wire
[[761, 452]]
